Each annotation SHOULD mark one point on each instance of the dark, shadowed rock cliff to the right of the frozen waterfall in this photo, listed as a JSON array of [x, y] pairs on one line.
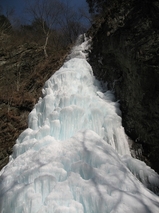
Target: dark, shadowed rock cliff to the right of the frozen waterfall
[[125, 53]]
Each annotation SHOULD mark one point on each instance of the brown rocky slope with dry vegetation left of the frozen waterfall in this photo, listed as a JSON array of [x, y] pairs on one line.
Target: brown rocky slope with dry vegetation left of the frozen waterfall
[[23, 71]]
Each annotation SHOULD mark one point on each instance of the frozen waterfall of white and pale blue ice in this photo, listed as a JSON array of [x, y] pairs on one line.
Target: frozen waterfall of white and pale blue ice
[[74, 156]]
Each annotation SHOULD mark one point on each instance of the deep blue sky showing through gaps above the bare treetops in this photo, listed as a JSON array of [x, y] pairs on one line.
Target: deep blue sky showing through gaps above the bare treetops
[[19, 6]]
